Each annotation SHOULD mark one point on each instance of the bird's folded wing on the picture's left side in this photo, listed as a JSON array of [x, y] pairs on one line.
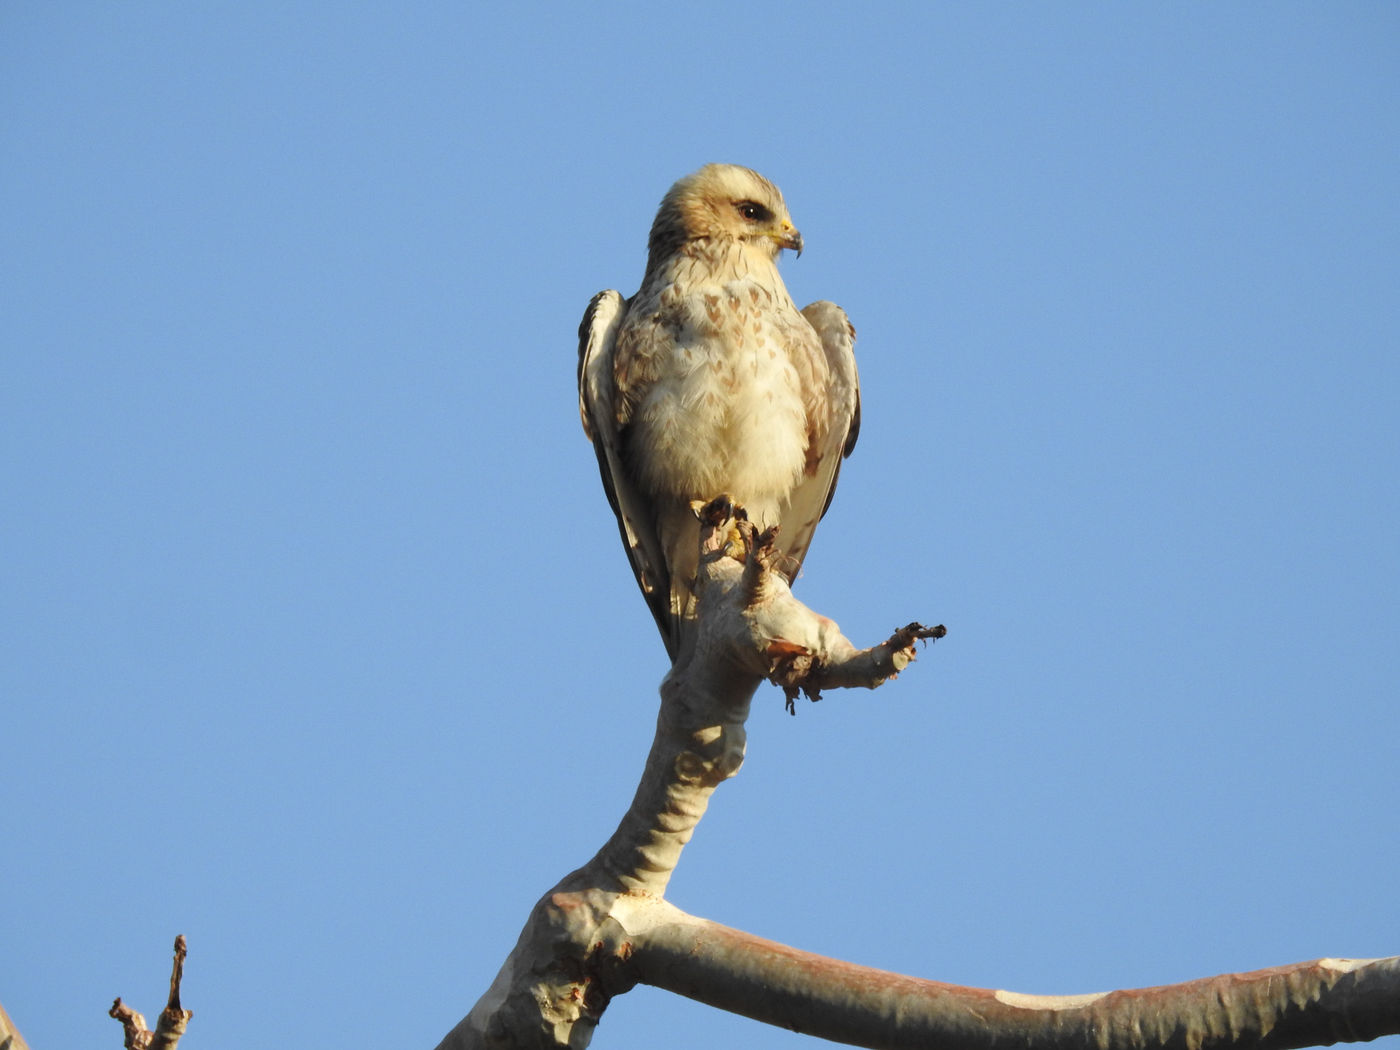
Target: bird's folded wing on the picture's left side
[[601, 414]]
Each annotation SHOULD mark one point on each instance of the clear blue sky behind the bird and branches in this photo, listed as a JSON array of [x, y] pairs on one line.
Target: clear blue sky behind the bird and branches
[[318, 645]]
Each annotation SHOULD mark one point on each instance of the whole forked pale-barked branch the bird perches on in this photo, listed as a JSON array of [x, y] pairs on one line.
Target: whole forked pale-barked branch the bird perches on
[[607, 926]]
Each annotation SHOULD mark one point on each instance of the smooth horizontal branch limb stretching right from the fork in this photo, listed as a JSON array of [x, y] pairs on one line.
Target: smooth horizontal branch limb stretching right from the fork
[[1305, 1004]]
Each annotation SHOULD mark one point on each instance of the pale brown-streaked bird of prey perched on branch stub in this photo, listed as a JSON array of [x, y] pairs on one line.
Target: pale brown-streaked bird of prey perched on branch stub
[[710, 381]]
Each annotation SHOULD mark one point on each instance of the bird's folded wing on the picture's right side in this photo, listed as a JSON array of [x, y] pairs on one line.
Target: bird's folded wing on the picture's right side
[[835, 425]]
